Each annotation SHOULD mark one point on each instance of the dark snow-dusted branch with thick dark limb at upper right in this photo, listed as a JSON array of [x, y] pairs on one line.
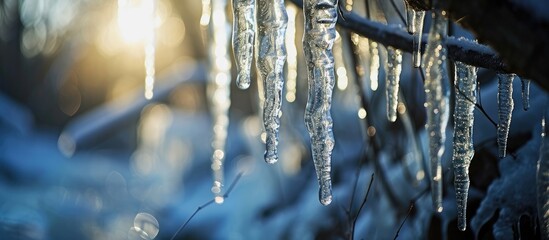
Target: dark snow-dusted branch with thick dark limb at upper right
[[520, 38]]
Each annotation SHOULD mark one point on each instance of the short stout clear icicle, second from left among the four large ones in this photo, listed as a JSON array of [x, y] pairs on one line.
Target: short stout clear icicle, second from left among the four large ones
[[243, 39]]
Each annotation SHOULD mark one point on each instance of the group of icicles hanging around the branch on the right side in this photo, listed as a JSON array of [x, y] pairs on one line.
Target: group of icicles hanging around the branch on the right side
[[437, 106]]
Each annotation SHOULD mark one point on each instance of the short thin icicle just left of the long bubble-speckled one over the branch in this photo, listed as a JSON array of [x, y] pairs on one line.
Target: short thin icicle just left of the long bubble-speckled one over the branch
[[415, 27]]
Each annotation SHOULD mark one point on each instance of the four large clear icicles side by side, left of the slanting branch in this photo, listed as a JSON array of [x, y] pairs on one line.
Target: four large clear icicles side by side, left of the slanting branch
[[262, 25]]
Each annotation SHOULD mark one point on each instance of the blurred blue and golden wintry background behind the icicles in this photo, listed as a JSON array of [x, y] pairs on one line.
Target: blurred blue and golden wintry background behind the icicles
[[83, 155]]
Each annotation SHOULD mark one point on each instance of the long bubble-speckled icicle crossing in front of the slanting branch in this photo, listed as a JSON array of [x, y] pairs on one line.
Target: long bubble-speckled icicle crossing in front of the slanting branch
[[437, 101]]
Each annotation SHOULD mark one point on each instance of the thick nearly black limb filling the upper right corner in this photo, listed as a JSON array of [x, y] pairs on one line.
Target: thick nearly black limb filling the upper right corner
[[513, 30]]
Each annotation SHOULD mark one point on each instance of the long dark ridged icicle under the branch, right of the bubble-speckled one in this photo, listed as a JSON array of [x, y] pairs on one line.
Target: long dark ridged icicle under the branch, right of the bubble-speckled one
[[465, 84]]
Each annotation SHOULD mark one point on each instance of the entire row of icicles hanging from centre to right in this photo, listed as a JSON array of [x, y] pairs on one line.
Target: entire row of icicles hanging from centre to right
[[259, 30]]
